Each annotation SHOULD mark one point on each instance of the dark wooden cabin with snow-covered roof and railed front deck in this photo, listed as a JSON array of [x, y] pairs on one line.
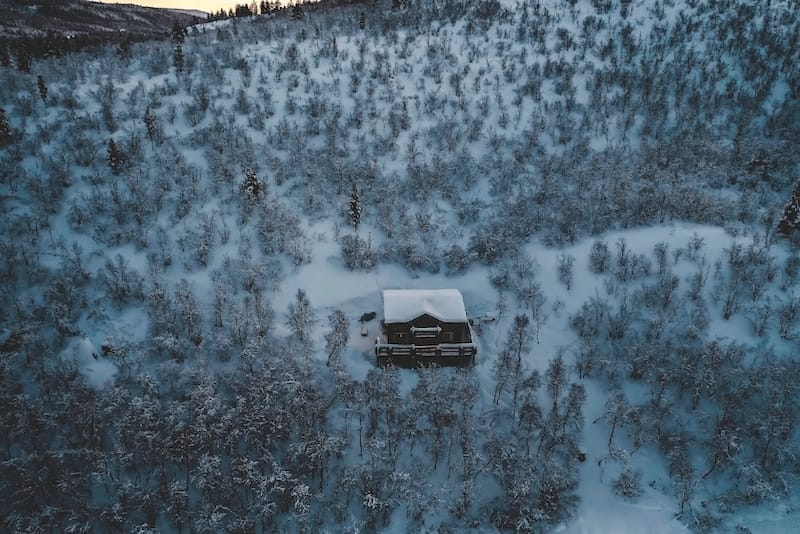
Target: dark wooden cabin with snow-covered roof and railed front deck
[[424, 327]]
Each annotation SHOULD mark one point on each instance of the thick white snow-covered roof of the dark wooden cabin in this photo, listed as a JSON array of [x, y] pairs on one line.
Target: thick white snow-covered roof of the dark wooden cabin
[[403, 305]]
